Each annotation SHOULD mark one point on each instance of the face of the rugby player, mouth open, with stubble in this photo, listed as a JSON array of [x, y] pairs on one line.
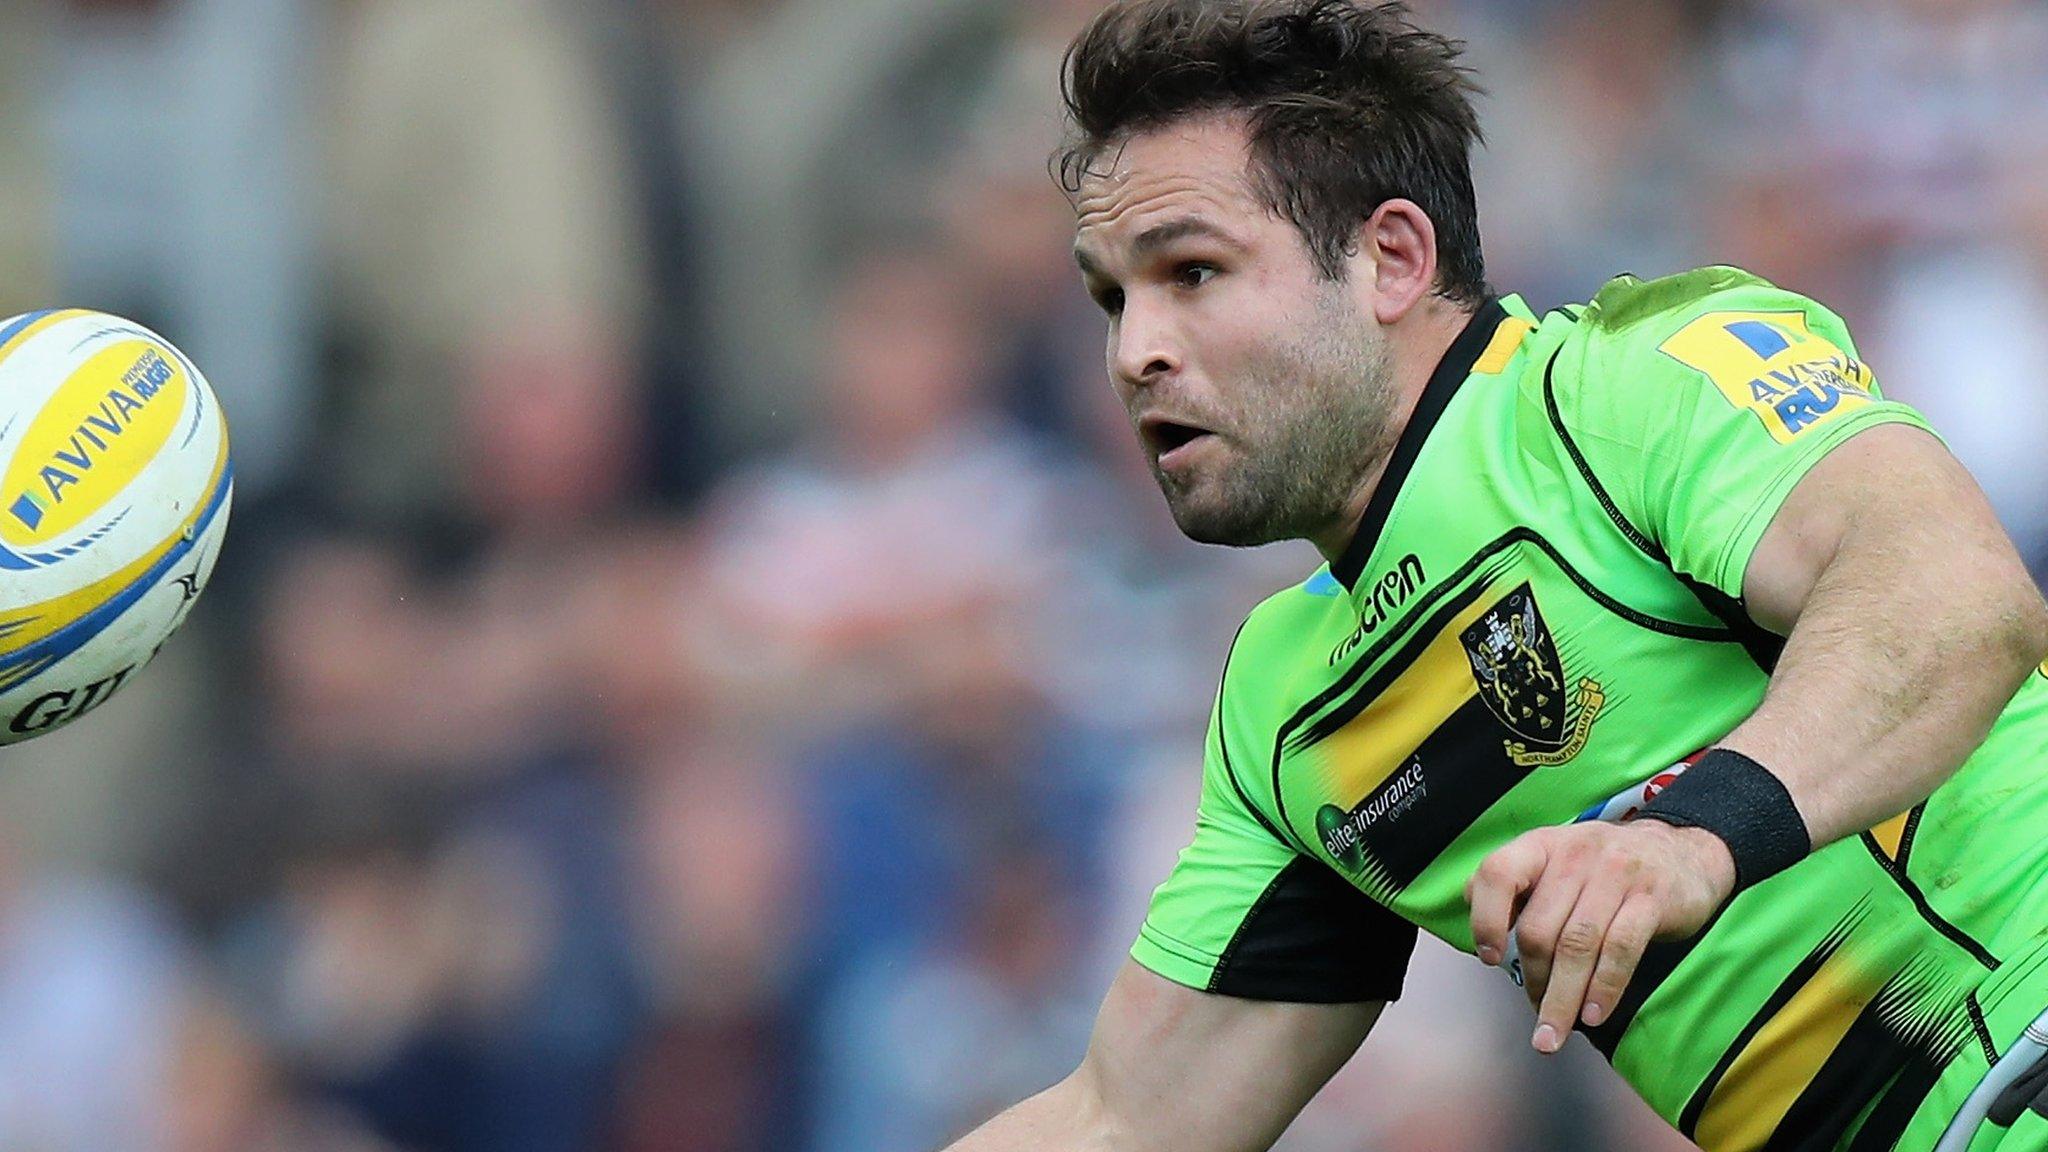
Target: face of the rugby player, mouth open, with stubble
[[1261, 390]]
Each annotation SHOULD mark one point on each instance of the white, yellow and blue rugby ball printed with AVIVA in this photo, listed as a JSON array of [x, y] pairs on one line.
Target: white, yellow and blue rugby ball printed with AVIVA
[[114, 501]]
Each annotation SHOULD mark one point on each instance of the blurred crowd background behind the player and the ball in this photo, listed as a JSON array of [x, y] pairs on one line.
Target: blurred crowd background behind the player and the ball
[[699, 663]]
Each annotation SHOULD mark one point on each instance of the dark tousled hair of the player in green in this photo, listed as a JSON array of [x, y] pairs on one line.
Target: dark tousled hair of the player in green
[[1351, 106]]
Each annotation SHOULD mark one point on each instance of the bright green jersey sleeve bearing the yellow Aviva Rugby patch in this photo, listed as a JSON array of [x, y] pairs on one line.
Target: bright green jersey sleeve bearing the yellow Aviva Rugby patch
[[1695, 423]]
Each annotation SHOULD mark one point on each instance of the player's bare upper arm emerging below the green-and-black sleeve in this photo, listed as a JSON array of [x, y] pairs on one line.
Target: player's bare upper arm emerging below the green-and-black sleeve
[[1185, 1071]]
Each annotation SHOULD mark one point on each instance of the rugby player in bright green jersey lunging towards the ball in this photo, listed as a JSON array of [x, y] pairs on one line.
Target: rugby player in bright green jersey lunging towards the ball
[[1564, 554]]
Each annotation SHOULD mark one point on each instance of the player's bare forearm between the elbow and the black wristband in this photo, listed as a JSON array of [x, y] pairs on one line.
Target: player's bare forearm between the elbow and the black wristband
[[1912, 643]]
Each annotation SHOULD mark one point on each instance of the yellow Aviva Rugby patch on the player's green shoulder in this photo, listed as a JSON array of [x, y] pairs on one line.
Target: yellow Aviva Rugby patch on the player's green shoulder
[[1775, 366]]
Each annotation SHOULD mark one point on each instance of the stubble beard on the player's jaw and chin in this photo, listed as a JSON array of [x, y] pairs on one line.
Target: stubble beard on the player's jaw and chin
[[1314, 421]]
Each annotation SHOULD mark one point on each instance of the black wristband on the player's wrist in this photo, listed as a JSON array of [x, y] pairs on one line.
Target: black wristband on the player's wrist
[[1742, 803]]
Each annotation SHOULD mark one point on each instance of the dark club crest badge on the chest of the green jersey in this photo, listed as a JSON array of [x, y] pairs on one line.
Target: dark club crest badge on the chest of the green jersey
[[1525, 686]]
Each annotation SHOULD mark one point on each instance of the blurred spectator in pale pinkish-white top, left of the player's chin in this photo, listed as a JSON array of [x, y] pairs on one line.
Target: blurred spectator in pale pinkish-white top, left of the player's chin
[[906, 536]]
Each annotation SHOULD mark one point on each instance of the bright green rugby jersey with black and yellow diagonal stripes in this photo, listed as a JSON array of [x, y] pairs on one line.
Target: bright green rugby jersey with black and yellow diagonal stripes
[[1543, 610]]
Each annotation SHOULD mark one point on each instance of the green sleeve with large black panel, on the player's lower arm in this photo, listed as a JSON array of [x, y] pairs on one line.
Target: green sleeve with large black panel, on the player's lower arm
[[1248, 915]]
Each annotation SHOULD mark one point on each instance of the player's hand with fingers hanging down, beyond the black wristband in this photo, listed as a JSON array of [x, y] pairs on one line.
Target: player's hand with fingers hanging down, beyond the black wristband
[[1584, 901]]
